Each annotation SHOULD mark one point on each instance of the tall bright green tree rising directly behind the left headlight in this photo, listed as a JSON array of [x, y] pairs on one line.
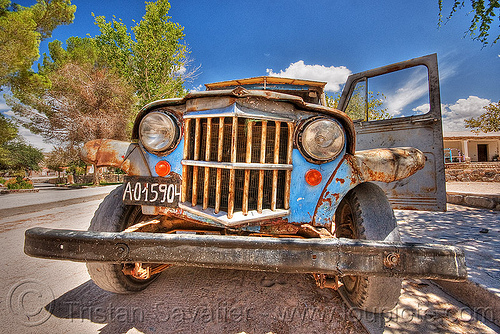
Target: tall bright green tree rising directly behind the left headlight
[[154, 59]]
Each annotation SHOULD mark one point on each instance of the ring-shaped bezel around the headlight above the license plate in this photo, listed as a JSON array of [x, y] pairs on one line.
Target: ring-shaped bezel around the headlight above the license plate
[[165, 148]]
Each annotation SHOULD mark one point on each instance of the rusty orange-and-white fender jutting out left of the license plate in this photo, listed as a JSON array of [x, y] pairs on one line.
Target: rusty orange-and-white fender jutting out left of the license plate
[[115, 153]]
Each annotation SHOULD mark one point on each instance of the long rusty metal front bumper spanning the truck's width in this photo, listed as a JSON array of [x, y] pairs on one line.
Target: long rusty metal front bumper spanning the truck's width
[[289, 255]]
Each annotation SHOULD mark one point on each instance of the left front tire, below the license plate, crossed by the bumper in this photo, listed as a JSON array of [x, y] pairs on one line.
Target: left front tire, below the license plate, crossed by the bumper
[[114, 216]]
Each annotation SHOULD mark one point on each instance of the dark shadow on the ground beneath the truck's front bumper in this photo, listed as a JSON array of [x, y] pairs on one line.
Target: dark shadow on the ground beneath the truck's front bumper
[[196, 300]]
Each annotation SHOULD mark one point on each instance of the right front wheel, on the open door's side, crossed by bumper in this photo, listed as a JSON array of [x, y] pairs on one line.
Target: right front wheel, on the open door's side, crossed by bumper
[[365, 213]]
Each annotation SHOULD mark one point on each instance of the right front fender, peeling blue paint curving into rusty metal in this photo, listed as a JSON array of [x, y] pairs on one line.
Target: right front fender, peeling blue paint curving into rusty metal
[[385, 165]]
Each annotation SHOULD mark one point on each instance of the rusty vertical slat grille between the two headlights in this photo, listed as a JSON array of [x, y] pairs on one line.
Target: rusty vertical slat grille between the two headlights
[[237, 140]]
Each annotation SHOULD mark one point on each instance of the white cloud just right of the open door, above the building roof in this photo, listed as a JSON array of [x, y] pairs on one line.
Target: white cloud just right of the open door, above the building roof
[[455, 114]]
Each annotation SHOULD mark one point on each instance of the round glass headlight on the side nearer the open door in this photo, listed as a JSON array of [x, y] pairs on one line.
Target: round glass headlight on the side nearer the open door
[[323, 139]]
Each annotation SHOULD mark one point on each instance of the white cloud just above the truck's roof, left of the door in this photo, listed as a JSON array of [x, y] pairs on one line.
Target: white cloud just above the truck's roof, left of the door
[[333, 76]]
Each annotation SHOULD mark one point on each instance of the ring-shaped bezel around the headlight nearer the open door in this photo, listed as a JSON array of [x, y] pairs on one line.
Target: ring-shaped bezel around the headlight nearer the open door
[[306, 152]]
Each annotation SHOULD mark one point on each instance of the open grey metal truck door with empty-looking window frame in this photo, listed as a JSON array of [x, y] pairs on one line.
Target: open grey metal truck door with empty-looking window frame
[[425, 190]]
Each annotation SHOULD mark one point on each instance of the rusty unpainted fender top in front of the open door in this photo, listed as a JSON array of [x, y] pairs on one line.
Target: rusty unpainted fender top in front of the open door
[[387, 164]]
